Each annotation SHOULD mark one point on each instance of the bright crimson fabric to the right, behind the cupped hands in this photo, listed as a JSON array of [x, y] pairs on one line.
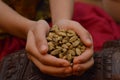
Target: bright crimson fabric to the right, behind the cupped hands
[[97, 22]]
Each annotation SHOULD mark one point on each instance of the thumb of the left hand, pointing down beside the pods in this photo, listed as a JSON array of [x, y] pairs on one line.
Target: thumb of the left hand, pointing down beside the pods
[[40, 36]]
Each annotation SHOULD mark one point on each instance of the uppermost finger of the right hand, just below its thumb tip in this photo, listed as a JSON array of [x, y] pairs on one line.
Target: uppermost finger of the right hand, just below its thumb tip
[[85, 56]]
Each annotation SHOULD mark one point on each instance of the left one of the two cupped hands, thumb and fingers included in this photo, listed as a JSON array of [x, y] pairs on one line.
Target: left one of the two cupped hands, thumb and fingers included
[[37, 48]]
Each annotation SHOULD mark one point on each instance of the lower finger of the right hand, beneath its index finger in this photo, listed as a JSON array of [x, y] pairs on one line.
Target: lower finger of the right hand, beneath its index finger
[[83, 67]]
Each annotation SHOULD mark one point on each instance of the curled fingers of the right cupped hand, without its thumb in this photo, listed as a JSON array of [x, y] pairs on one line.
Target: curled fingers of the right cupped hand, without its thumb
[[83, 62]]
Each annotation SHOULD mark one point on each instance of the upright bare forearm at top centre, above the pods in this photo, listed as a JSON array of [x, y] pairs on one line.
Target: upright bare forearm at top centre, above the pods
[[61, 9]]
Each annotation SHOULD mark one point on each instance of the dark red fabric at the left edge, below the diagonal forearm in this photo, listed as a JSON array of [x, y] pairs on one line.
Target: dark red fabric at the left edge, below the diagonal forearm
[[9, 45]]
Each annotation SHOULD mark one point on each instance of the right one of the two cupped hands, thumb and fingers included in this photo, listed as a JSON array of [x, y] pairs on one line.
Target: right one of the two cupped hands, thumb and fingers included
[[84, 61]]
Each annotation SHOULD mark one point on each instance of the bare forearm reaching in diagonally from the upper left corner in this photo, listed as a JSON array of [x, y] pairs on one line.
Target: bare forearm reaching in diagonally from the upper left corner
[[12, 22]]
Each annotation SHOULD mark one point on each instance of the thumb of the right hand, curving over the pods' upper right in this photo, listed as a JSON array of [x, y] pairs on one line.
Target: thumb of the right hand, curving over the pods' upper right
[[77, 27]]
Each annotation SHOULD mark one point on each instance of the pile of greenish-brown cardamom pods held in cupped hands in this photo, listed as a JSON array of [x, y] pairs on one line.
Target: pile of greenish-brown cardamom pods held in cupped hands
[[65, 44]]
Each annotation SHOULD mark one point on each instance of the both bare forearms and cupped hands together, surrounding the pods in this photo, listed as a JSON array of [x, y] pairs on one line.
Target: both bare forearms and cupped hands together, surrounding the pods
[[35, 34]]
